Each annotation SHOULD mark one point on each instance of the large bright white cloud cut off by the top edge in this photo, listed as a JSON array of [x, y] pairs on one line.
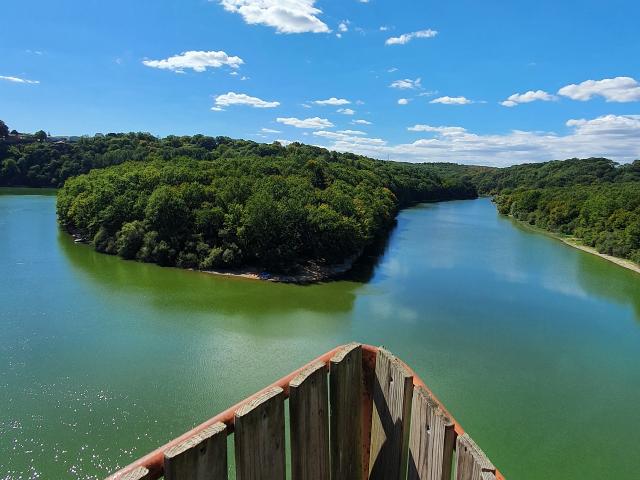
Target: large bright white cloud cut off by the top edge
[[286, 16]]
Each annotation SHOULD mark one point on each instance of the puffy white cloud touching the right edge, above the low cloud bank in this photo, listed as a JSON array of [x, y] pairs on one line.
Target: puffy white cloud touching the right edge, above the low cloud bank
[[618, 89]]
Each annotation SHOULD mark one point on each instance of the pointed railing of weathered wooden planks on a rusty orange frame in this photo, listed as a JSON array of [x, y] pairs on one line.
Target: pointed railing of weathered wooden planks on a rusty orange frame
[[355, 413]]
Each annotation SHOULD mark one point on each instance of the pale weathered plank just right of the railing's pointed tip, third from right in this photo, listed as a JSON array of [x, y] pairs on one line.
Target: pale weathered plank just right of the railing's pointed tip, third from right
[[392, 392]]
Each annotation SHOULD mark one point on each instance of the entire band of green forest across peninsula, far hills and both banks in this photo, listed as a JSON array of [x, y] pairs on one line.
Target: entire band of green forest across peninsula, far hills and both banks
[[295, 211]]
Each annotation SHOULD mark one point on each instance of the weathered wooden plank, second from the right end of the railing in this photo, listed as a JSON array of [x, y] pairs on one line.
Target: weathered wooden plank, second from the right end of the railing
[[431, 439]]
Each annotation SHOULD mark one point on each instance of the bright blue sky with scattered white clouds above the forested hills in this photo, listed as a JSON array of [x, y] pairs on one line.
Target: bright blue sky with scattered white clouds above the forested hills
[[571, 69]]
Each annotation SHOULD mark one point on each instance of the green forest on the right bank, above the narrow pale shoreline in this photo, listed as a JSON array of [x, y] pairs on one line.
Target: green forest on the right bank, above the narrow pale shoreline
[[594, 200]]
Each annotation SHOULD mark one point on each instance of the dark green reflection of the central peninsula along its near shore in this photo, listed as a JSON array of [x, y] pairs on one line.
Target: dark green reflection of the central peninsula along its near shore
[[177, 290]]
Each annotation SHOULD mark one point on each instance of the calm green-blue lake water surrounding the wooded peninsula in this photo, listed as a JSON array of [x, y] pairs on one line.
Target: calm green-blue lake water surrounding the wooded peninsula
[[533, 346]]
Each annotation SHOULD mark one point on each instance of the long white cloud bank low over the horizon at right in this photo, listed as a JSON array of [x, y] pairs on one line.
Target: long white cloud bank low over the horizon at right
[[613, 136]]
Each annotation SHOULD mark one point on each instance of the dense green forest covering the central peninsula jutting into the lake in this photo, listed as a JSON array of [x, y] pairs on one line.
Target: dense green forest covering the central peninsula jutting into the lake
[[234, 203]]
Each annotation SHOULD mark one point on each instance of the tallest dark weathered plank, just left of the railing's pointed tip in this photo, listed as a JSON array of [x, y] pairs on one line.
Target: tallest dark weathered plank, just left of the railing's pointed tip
[[345, 400]]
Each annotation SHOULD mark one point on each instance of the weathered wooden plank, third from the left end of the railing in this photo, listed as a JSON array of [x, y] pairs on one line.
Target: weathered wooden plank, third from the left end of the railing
[[259, 437]]
